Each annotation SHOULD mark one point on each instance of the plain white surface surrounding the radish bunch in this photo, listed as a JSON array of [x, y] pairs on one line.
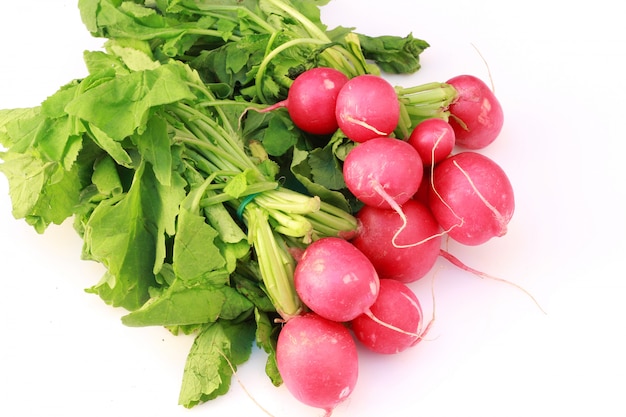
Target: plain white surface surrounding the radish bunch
[[558, 70]]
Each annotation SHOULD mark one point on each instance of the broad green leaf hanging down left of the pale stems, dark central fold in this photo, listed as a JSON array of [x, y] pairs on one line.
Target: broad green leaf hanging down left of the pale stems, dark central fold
[[127, 235]]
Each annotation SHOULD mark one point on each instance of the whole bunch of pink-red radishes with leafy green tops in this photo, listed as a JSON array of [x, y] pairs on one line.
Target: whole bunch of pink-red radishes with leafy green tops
[[247, 175]]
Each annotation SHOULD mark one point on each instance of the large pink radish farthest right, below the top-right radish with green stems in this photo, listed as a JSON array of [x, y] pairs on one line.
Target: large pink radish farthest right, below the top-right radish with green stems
[[471, 197]]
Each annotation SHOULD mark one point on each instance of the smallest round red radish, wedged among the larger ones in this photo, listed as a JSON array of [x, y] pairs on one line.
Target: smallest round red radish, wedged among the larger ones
[[433, 139]]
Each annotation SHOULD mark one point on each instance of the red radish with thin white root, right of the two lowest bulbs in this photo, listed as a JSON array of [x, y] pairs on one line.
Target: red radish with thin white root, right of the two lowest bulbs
[[397, 306]]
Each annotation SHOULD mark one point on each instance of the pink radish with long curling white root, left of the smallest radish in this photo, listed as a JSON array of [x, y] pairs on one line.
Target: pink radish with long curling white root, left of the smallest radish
[[383, 171]]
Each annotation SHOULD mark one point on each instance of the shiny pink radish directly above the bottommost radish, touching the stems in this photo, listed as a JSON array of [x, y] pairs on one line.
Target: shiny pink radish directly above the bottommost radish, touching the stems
[[336, 280]]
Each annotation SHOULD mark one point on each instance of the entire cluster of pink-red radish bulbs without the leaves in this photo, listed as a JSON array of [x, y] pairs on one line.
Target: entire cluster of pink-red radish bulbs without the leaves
[[414, 191]]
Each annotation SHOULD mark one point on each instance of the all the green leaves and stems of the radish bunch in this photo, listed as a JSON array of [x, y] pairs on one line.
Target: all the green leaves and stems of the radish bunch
[[194, 203]]
